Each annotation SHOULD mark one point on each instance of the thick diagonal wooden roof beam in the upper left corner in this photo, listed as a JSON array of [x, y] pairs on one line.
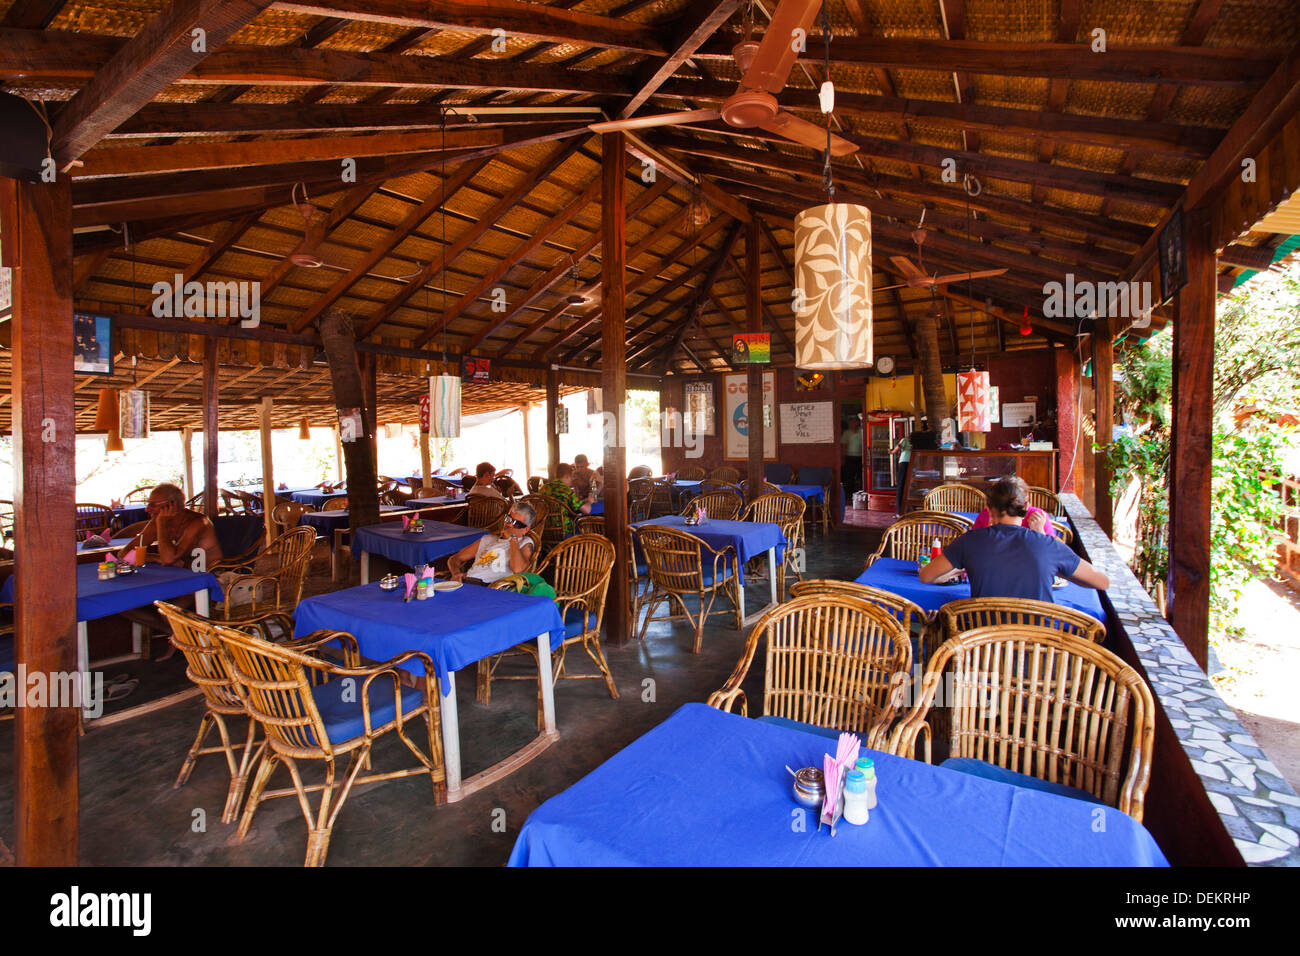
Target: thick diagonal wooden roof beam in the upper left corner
[[159, 55]]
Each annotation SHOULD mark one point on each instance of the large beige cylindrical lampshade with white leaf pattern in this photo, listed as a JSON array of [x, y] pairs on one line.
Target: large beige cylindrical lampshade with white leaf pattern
[[833, 304]]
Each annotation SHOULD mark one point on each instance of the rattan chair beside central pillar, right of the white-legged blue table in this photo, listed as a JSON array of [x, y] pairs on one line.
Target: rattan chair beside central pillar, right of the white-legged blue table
[[579, 569]]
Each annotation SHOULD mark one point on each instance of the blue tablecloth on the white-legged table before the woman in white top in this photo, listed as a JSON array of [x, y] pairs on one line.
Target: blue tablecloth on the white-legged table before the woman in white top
[[456, 628]]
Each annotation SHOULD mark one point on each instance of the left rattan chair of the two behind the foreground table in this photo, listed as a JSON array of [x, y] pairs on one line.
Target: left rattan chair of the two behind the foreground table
[[833, 661]]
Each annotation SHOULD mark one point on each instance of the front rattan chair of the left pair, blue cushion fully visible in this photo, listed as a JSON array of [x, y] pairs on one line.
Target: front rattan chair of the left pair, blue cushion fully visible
[[340, 717]]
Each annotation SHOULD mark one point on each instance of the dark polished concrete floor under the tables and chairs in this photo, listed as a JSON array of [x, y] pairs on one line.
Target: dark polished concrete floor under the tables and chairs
[[132, 816]]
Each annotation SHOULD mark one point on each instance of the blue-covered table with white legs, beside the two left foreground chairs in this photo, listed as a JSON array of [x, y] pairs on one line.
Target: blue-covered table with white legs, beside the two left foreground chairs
[[456, 629]]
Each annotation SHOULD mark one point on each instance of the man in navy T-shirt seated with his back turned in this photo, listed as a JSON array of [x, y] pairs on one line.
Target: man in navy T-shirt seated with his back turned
[[1009, 560]]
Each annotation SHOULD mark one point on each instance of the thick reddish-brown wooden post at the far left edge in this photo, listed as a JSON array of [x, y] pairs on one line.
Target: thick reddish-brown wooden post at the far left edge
[[38, 246]]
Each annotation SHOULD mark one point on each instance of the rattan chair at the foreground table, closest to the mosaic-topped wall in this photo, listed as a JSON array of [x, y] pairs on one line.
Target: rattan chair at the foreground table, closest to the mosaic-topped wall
[[1045, 704]]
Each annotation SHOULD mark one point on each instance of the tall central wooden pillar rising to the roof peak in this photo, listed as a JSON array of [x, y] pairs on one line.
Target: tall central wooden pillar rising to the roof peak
[[614, 377]]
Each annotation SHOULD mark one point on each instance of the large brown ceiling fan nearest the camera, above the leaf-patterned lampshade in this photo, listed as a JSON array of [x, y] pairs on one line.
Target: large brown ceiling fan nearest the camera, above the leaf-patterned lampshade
[[765, 70]]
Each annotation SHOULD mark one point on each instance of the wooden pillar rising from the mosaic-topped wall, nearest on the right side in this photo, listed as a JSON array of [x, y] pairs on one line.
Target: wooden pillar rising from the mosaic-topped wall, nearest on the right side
[[1189, 594]]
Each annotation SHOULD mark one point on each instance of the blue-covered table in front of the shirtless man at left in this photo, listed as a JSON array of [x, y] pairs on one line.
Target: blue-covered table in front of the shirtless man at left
[[97, 599]]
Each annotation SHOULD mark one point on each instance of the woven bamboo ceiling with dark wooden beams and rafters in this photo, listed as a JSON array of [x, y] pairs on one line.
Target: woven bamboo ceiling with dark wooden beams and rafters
[[436, 158]]
